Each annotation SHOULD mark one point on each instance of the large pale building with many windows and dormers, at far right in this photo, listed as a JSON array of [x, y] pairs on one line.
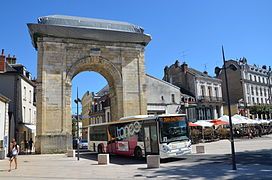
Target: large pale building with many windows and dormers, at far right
[[248, 85]]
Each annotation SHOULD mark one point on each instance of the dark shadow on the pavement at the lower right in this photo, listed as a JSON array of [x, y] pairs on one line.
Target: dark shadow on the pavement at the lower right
[[250, 165]]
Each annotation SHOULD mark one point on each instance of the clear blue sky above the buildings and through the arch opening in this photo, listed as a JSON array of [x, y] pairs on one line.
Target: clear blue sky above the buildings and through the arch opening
[[191, 31]]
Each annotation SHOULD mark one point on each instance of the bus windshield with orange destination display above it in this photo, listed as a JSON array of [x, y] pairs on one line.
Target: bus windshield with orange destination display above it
[[173, 129]]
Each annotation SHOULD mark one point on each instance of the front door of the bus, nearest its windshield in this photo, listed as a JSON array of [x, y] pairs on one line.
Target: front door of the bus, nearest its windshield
[[151, 138]]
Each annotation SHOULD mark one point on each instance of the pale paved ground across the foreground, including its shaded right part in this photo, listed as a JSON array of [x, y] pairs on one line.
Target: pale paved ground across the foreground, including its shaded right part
[[253, 162]]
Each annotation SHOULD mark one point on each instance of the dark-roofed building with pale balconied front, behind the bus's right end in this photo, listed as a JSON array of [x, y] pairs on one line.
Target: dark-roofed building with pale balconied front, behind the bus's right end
[[205, 89]]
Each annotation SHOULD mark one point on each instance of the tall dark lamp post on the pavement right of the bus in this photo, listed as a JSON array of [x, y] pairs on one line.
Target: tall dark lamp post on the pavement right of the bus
[[230, 121]]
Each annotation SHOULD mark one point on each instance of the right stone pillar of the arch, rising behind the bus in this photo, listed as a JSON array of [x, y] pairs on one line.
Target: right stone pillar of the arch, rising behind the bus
[[134, 87]]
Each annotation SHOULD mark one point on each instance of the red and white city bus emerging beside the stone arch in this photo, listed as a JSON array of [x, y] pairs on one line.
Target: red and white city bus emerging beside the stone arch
[[142, 135]]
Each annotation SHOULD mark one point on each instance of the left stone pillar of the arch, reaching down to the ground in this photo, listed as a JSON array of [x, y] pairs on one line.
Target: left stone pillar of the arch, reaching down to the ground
[[53, 110]]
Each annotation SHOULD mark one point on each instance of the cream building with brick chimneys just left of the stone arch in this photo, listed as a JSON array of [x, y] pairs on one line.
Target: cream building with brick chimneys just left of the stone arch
[[17, 85]]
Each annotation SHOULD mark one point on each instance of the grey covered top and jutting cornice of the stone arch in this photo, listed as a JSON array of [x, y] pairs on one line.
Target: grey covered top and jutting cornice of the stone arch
[[87, 28]]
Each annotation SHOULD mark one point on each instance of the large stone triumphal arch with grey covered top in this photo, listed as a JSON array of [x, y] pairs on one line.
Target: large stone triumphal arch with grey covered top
[[69, 45]]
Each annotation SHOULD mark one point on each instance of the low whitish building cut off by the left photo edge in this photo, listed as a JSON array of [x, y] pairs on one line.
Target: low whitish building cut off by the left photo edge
[[4, 126]]
